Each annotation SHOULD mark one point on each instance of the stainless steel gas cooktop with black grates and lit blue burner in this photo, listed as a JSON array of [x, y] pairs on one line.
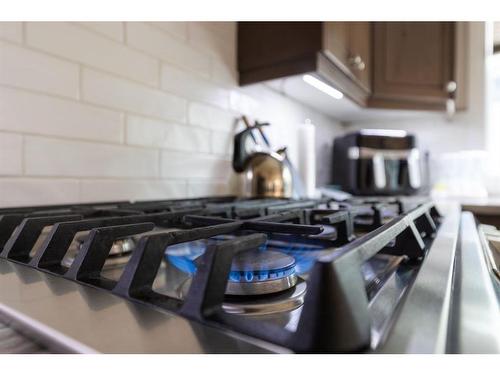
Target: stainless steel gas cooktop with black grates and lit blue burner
[[233, 275]]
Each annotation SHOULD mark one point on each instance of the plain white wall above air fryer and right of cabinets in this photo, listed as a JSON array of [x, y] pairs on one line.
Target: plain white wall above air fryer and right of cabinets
[[466, 130]]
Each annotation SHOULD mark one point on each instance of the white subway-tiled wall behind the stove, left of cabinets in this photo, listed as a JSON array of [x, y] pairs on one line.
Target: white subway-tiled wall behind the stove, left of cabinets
[[108, 111]]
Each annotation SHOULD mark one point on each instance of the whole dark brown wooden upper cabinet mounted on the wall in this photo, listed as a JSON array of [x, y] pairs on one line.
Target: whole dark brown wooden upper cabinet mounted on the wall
[[393, 65]]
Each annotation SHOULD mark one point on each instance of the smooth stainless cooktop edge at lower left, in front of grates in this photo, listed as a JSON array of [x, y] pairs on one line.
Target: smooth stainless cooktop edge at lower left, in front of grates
[[91, 319]]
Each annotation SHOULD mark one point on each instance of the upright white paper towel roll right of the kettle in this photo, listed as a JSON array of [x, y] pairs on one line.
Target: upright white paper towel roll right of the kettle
[[307, 157]]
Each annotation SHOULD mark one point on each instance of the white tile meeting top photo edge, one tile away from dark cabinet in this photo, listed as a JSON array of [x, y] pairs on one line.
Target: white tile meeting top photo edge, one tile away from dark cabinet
[[156, 42]]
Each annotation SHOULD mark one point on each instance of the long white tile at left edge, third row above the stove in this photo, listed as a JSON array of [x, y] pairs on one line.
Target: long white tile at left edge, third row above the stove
[[31, 113]]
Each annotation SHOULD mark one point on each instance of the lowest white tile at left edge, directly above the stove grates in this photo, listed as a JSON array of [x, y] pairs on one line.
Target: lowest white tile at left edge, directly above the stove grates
[[27, 191]]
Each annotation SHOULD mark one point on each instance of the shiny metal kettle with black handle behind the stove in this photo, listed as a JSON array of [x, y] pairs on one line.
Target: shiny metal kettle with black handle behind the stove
[[265, 174]]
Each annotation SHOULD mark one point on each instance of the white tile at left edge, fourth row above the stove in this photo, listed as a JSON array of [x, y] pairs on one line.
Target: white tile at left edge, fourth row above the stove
[[32, 70]]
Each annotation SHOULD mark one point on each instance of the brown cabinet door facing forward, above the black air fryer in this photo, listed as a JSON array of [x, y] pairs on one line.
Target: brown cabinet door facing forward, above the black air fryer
[[412, 64]]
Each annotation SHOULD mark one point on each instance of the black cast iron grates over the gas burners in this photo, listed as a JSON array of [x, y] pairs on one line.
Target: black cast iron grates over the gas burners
[[334, 315]]
